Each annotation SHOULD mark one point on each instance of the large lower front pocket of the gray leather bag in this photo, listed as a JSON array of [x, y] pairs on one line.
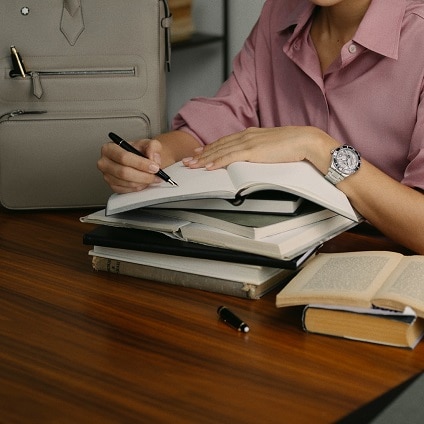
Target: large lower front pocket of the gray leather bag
[[50, 160]]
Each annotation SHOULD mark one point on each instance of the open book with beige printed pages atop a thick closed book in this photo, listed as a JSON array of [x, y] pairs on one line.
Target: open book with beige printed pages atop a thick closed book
[[379, 279]]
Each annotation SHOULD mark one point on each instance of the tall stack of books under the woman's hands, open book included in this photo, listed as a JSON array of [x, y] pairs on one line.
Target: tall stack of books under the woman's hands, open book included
[[221, 230]]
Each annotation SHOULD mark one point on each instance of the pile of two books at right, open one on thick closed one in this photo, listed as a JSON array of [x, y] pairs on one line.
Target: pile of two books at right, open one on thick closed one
[[372, 296]]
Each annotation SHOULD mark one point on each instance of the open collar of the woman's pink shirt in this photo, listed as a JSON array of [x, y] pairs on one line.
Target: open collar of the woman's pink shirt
[[379, 30]]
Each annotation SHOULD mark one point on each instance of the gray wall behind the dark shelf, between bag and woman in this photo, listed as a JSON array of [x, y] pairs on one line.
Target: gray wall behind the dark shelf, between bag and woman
[[198, 71]]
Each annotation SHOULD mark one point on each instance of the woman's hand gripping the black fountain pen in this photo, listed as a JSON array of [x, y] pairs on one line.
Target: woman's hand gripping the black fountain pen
[[126, 172]]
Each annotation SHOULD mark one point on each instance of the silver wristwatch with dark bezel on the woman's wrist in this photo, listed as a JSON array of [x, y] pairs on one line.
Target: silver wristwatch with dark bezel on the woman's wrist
[[345, 161]]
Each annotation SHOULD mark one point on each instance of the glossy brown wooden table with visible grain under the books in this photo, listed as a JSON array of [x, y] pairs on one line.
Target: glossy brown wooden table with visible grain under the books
[[84, 347]]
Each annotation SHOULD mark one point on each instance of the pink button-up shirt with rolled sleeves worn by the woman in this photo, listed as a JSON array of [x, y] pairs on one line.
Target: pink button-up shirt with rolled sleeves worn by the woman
[[371, 97]]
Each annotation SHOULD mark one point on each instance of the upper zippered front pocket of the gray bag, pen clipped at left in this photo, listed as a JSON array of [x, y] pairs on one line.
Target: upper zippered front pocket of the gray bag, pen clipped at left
[[54, 79]]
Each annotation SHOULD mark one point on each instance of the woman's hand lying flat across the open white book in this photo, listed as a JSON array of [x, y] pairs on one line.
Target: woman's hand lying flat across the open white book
[[266, 145]]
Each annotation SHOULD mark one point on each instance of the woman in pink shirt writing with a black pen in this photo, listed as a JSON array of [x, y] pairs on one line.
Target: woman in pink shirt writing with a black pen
[[314, 75]]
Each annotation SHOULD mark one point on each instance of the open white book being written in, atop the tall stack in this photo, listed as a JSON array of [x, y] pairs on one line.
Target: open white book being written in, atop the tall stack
[[236, 181]]
